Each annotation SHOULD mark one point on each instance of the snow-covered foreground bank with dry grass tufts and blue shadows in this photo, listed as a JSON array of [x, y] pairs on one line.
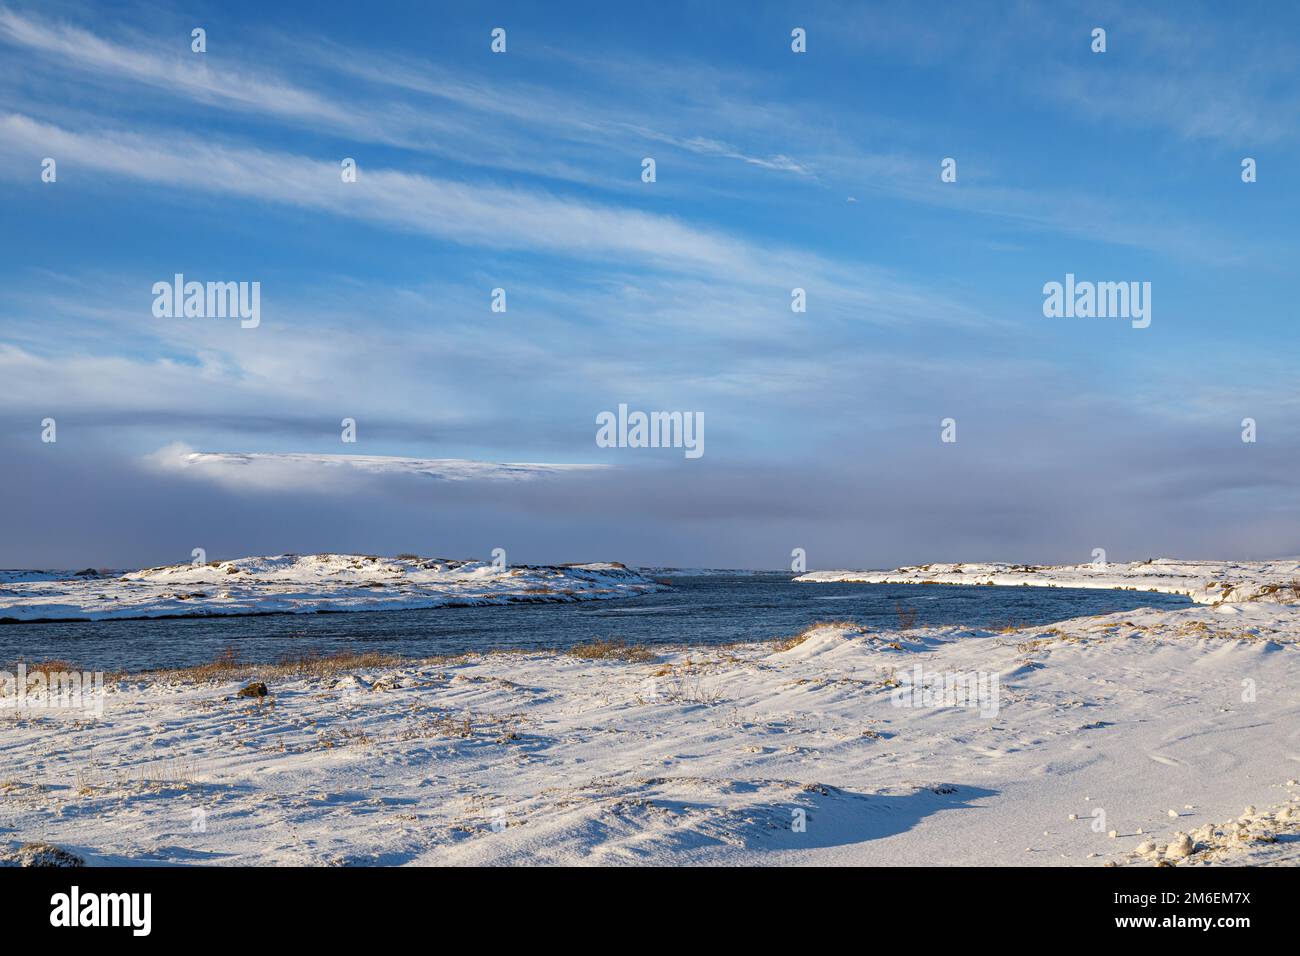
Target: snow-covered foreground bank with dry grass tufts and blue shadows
[[1100, 736]]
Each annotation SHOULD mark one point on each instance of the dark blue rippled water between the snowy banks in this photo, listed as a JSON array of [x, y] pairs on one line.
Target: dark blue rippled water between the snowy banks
[[700, 611]]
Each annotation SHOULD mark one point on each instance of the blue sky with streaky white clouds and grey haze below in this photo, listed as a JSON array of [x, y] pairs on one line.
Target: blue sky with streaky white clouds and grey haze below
[[774, 171]]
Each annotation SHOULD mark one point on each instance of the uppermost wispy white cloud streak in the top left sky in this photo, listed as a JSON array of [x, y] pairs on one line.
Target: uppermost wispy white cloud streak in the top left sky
[[466, 105]]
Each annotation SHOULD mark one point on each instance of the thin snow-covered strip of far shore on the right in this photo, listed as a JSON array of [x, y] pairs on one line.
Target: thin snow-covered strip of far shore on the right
[[1206, 582]]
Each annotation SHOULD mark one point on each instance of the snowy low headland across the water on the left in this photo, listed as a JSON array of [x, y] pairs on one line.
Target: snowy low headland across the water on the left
[[304, 585]]
